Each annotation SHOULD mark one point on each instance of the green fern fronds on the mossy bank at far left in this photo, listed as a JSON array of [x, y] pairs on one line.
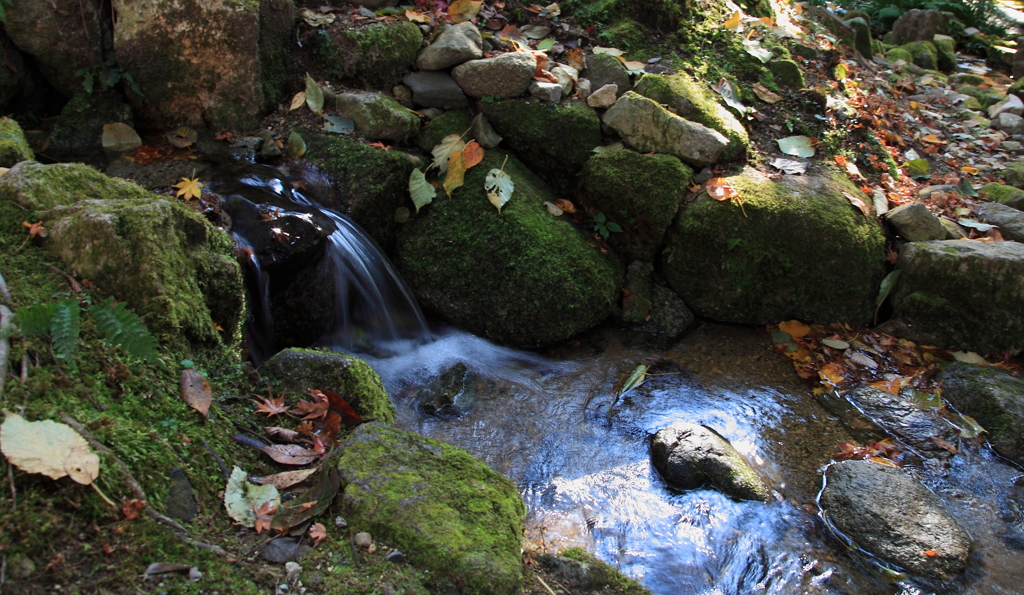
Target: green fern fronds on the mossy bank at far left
[[62, 321]]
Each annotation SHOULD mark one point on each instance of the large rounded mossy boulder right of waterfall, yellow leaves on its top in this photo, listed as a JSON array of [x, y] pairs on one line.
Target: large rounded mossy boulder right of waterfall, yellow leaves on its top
[[519, 277]]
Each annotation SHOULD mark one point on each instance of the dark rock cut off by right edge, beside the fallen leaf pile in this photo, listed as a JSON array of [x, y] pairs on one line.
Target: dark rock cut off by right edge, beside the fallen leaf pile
[[995, 399]]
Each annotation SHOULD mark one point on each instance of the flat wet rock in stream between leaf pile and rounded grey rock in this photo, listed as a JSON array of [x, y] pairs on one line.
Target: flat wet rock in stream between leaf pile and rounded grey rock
[[914, 426]]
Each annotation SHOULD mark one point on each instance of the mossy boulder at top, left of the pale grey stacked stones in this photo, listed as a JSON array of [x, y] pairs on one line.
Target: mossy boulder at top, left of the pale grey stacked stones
[[377, 55]]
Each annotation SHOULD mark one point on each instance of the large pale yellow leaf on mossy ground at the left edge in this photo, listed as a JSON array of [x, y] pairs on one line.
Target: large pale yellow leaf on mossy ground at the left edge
[[49, 448]]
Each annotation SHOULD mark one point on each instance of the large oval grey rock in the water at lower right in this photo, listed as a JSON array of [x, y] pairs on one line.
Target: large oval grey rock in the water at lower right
[[890, 515]]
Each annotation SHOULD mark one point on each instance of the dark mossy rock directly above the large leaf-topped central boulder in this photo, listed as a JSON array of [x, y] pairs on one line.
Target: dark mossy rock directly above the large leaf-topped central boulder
[[556, 141]]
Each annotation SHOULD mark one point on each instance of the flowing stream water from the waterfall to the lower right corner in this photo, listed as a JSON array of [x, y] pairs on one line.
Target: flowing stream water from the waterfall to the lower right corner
[[550, 421]]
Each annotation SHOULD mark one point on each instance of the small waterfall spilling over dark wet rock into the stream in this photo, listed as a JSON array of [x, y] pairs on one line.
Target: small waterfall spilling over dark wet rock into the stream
[[313, 276]]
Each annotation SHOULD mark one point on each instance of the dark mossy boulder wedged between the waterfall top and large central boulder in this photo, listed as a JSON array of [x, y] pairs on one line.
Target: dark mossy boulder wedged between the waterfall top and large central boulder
[[369, 184]]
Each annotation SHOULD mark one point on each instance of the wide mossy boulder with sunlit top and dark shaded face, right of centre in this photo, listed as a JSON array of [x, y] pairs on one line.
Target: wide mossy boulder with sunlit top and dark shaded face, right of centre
[[801, 251]]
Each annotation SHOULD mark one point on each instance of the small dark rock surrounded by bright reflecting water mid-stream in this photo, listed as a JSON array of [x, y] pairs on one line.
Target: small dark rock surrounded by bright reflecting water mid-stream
[[690, 457]]
